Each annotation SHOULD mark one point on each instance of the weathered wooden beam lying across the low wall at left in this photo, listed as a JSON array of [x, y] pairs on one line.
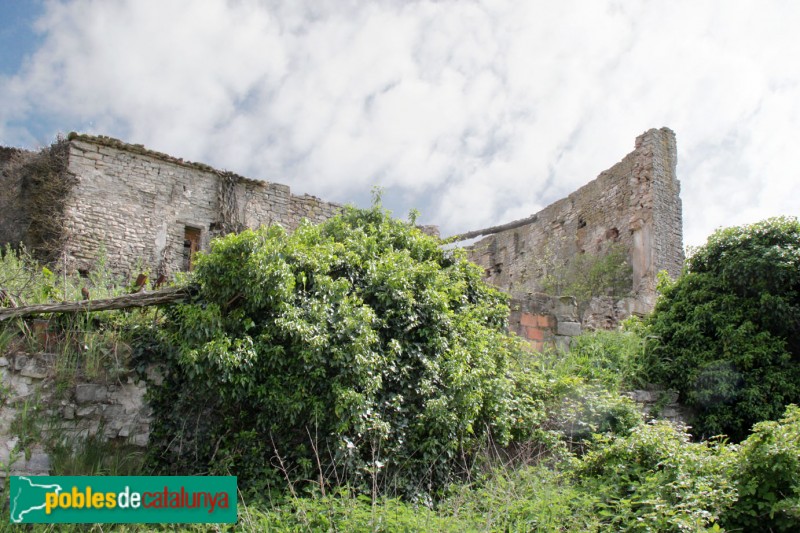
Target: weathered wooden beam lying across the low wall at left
[[138, 299]]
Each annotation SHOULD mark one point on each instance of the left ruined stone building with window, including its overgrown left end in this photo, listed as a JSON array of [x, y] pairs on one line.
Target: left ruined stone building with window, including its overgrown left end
[[89, 195]]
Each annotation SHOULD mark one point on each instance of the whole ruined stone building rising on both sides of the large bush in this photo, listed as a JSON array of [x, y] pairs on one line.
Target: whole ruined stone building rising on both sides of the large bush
[[88, 195]]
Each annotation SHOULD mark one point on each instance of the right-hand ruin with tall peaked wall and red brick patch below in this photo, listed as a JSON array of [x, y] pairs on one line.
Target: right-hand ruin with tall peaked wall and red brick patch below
[[634, 205]]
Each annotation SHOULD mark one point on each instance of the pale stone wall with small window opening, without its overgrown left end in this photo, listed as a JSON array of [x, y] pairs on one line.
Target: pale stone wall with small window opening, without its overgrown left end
[[135, 206]]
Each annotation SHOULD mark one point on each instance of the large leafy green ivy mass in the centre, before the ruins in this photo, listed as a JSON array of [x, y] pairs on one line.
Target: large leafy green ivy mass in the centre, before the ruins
[[356, 351]]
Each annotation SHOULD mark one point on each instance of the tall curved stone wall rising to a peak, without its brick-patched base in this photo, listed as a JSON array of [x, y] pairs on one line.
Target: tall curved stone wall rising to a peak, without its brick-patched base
[[635, 203]]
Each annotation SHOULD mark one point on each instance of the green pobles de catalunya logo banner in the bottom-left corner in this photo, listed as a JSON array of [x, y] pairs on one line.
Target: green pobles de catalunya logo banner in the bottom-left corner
[[122, 499]]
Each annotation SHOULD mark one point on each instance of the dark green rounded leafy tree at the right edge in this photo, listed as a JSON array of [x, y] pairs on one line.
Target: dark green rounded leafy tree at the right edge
[[729, 328]]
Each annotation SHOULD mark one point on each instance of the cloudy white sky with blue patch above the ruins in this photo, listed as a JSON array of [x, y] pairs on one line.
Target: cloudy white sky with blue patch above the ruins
[[474, 112]]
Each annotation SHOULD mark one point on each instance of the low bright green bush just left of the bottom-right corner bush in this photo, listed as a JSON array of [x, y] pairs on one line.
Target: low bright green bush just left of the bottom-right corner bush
[[654, 479]]
